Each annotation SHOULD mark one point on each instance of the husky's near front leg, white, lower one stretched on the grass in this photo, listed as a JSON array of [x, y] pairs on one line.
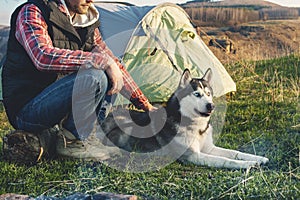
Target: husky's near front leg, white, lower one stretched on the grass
[[218, 161]]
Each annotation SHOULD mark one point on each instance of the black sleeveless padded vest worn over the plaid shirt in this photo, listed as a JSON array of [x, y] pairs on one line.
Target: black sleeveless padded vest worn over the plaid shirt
[[21, 81]]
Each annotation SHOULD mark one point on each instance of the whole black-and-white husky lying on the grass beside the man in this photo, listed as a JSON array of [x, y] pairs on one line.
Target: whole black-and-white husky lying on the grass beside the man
[[183, 122]]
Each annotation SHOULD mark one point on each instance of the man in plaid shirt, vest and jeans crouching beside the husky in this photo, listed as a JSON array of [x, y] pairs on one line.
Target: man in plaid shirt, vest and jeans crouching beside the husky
[[58, 69]]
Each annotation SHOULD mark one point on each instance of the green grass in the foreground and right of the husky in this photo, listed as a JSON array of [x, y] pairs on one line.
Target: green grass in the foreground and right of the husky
[[259, 119]]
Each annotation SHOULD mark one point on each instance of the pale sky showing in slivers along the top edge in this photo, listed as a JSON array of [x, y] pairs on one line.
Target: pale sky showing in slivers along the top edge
[[8, 6]]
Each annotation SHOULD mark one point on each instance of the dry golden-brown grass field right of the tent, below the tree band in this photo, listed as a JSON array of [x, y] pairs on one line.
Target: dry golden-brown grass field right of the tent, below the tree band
[[257, 40]]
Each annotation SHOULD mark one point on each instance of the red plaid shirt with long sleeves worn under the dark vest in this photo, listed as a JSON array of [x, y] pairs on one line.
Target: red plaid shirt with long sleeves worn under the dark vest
[[31, 32]]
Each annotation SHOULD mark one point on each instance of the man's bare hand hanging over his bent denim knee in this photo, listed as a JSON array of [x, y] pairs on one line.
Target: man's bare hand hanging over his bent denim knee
[[116, 78]]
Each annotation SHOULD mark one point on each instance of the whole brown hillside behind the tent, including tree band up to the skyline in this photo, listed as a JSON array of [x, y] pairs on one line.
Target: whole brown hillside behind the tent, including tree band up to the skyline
[[256, 29]]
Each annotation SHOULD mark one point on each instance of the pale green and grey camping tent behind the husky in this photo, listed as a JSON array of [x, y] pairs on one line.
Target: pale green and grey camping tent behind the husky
[[160, 43]]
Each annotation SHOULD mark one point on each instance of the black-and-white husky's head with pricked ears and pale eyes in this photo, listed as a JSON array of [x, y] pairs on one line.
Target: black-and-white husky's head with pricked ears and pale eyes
[[195, 96]]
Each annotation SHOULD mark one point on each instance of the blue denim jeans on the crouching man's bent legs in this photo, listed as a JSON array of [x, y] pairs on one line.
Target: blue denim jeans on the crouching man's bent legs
[[76, 99]]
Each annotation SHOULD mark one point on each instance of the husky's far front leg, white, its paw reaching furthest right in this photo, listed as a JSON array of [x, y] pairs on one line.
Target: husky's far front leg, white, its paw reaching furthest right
[[233, 154]]
